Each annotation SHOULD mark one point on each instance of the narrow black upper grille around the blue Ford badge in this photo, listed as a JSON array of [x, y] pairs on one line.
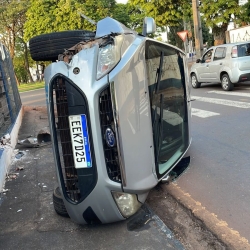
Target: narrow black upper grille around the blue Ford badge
[[107, 121]]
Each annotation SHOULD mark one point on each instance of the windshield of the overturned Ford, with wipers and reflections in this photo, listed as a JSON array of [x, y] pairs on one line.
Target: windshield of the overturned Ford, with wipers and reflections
[[168, 104]]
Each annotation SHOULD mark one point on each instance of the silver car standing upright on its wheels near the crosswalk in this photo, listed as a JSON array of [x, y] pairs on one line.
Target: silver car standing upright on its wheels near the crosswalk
[[226, 63]]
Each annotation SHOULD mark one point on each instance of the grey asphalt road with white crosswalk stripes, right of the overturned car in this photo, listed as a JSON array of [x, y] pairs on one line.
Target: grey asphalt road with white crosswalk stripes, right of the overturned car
[[218, 177]]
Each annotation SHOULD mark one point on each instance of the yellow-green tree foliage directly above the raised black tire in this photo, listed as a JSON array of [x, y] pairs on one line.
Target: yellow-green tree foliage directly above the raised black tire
[[46, 16]]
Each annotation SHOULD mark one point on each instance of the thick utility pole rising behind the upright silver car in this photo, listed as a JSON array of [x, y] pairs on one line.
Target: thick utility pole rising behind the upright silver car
[[197, 29]]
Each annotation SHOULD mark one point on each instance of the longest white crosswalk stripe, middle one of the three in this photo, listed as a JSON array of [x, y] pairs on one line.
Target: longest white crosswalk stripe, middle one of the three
[[244, 105]]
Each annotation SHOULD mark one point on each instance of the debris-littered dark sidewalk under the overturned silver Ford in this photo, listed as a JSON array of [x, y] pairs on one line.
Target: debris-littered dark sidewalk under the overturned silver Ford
[[28, 219]]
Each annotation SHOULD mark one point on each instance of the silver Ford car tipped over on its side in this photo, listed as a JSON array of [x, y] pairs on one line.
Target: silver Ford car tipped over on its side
[[119, 113]]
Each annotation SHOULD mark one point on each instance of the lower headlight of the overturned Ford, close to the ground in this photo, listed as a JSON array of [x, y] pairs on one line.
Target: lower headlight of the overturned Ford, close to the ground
[[127, 203]]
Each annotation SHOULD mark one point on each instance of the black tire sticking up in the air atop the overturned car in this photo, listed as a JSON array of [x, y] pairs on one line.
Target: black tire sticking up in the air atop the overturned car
[[47, 47]]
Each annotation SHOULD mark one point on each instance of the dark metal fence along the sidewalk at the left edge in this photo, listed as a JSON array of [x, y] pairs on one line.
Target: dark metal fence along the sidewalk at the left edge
[[10, 102]]
